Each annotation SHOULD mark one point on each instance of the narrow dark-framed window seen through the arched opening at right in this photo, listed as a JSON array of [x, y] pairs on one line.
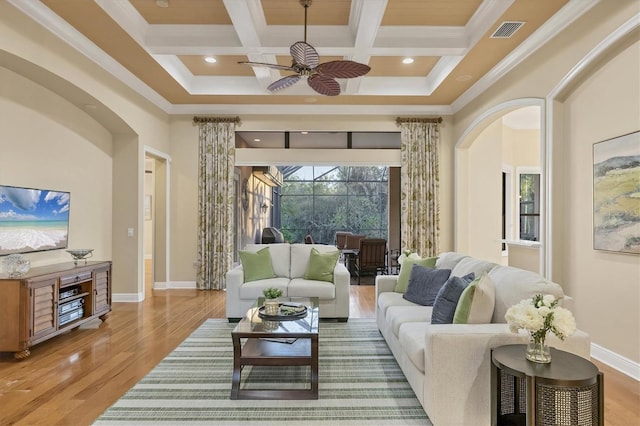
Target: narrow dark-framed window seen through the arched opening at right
[[529, 184]]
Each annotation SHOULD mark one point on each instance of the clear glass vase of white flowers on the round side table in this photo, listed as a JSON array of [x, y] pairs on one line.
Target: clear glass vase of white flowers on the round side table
[[539, 316]]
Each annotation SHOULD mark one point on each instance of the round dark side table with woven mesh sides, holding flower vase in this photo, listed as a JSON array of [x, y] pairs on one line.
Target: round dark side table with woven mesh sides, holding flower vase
[[567, 391]]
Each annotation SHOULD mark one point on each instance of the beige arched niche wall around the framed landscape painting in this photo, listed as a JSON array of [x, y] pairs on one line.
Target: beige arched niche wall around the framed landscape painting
[[605, 285]]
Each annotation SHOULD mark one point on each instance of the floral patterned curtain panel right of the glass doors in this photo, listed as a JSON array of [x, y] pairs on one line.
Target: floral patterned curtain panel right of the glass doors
[[420, 182]]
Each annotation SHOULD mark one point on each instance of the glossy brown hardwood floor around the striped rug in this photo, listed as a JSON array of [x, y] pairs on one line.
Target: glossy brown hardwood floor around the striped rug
[[73, 378]]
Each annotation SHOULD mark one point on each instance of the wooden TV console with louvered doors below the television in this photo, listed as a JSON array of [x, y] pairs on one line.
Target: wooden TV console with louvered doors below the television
[[50, 300]]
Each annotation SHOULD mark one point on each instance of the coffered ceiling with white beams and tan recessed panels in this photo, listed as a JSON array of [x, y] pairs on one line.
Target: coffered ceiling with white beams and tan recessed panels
[[158, 47]]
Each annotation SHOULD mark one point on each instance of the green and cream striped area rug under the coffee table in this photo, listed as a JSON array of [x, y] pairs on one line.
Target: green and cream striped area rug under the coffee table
[[360, 384]]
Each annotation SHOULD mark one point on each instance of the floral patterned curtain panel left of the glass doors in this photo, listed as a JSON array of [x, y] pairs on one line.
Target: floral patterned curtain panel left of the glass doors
[[215, 202]]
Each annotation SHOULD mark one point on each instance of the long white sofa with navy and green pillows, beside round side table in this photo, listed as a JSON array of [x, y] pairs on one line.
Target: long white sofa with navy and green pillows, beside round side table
[[448, 365]]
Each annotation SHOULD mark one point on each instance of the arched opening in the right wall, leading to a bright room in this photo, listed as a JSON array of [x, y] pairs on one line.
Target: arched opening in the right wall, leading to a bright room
[[507, 140]]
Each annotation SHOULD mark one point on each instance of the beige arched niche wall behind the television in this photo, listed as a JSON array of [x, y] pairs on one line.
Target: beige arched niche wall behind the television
[[47, 143]]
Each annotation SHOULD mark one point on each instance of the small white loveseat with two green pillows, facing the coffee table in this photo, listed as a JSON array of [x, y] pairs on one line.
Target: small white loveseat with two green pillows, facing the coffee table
[[290, 263]]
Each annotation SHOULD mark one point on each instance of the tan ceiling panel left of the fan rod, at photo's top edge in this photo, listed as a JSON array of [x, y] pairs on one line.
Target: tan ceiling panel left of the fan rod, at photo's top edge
[[210, 12]]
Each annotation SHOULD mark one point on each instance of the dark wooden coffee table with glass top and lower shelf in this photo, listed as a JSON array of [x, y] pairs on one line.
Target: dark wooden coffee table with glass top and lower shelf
[[251, 347]]
